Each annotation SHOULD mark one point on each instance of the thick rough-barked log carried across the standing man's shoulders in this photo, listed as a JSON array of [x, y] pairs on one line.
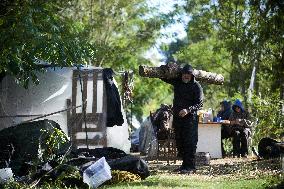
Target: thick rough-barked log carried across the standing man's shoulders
[[173, 71]]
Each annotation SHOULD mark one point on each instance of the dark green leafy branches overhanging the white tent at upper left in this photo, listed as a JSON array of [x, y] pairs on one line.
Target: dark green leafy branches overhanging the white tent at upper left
[[34, 31]]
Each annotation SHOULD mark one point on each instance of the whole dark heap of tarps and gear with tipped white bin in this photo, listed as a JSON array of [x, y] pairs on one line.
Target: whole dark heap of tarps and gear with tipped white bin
[[39, 152]]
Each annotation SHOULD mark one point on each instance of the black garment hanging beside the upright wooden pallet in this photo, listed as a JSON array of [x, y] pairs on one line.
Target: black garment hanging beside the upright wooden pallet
[[114, 114]]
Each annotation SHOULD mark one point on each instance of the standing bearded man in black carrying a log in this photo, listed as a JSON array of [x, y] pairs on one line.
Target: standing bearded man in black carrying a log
[[188, 99]]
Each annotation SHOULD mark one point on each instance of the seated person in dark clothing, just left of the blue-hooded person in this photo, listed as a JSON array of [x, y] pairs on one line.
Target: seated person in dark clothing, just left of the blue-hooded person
[[224, 114]]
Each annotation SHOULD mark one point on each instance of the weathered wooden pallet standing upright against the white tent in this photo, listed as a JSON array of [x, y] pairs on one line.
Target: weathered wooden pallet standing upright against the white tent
[[95, 121]]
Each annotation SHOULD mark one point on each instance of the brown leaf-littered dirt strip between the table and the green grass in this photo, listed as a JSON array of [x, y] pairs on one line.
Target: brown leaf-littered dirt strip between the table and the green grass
[[233, 168]]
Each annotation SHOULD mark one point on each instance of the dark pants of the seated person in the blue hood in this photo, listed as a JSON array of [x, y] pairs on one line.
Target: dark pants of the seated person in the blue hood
[[240, 141]]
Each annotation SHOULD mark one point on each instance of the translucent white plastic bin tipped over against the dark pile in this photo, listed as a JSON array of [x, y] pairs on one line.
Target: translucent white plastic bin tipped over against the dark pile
[[97, 173]]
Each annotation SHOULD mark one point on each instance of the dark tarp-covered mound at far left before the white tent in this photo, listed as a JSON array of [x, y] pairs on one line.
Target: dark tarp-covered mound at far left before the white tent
[[20, 144]]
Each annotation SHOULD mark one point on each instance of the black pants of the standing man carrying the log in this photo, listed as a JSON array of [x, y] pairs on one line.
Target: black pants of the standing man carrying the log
[[186, 134]]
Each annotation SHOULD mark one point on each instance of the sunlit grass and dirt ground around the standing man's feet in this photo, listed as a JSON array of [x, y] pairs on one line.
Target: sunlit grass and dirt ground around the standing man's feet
[[228, 173]]
